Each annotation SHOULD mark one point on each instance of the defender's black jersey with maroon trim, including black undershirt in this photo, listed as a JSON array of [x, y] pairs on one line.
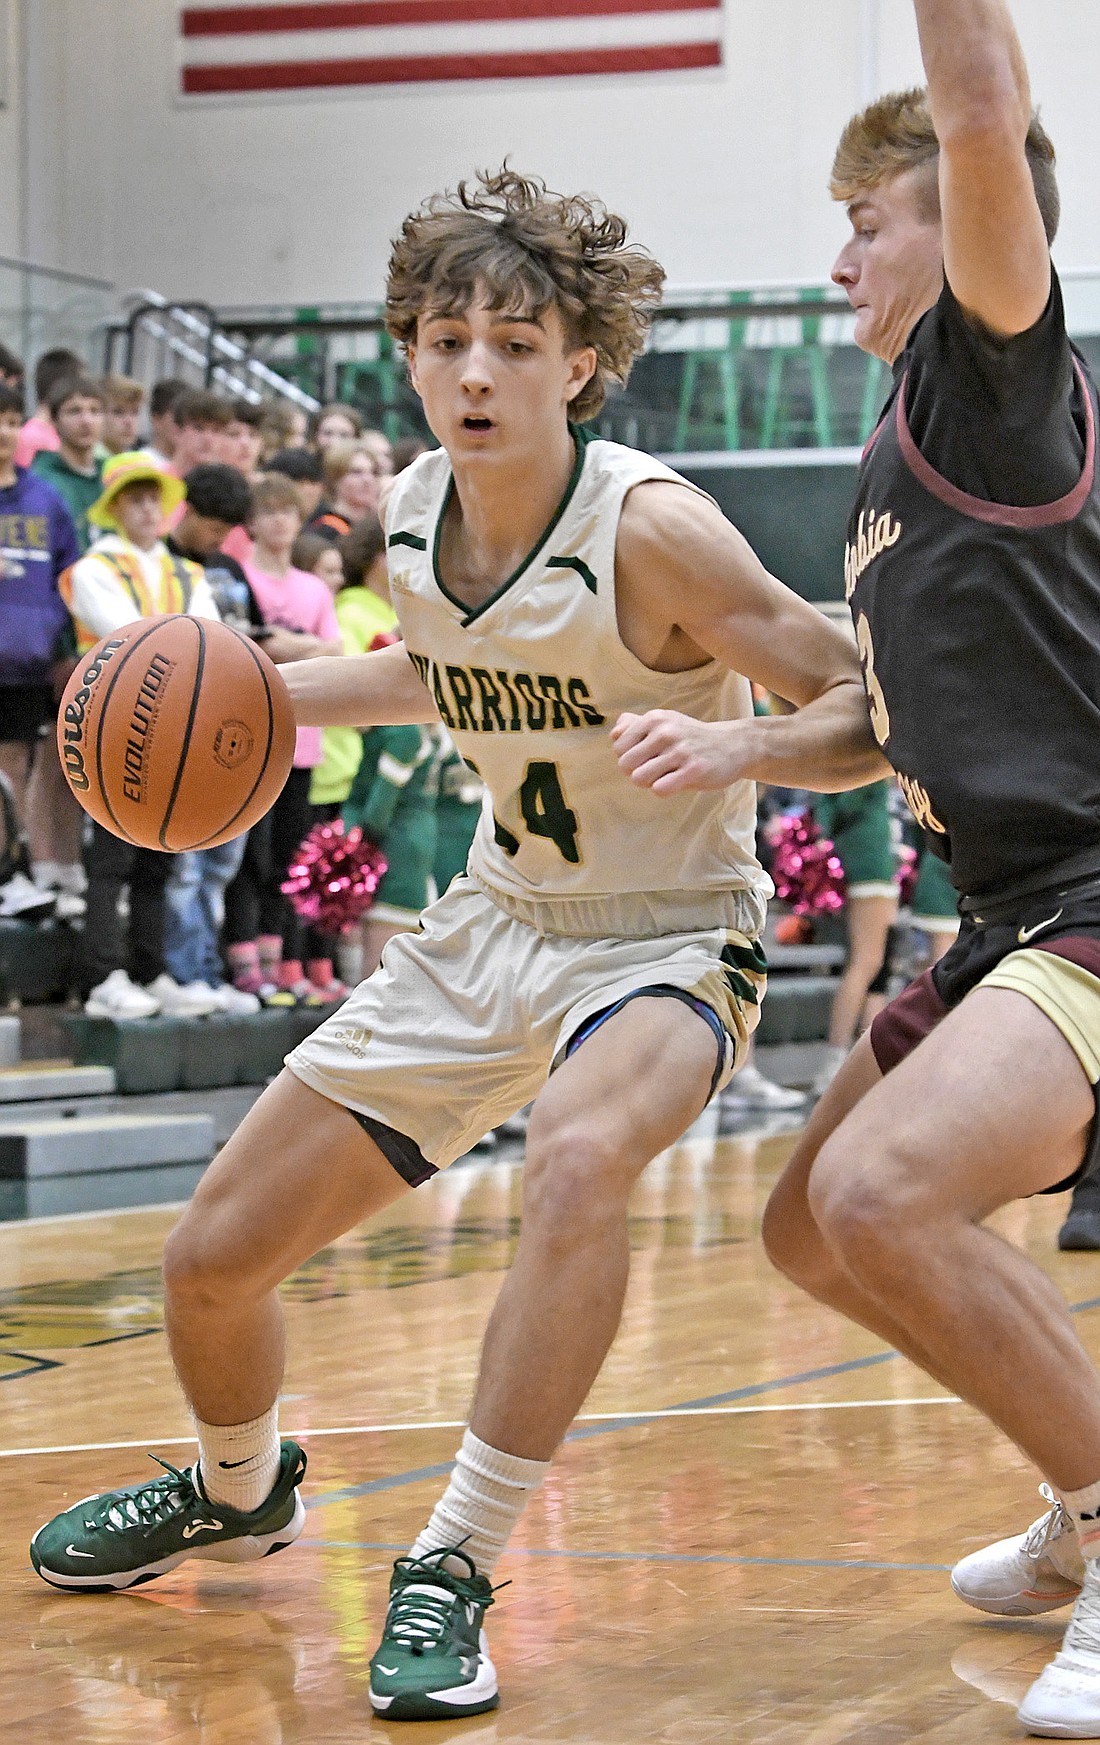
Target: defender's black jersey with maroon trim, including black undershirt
[[979, 620]]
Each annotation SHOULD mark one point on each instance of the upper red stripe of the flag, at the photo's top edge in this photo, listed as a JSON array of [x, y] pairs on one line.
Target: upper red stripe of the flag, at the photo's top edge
[[348, 15]]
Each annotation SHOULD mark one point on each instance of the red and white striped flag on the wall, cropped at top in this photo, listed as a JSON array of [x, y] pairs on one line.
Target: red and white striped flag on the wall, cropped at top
[[256, 48]]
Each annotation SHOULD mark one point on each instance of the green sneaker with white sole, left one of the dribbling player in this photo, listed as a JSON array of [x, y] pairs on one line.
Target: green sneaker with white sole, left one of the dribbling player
[[123, 1538]]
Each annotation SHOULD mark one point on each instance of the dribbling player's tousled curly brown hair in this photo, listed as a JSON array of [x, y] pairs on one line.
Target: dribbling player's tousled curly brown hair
[[530, 250]]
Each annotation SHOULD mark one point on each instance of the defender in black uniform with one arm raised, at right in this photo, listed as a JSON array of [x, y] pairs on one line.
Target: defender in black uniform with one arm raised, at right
[[973, 575]]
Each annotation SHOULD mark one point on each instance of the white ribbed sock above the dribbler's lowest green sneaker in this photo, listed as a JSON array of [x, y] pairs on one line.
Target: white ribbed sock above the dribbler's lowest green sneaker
[[483, 1503]]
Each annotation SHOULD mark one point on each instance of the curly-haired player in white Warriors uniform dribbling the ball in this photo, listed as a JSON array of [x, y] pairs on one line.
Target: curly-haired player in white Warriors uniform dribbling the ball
[[586, 626]]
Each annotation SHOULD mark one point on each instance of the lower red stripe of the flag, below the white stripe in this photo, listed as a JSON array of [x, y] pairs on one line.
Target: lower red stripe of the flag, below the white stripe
[[427, 69]]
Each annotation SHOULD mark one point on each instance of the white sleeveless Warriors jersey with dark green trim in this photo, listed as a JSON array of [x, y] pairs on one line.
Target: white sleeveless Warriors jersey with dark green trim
[[530, 687]]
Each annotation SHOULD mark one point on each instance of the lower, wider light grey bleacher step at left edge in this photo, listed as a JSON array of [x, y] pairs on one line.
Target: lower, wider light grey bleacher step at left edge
[[43, 1146]]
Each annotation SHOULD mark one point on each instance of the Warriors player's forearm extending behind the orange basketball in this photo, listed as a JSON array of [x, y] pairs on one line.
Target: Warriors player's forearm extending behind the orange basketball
[[380, 690]]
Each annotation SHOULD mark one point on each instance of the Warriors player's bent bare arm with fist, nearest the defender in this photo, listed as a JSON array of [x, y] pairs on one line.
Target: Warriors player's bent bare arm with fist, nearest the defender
[[687, 578]]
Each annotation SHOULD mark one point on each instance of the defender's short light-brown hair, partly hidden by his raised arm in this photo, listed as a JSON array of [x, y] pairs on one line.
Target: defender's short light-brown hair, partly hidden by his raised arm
[[897, 133]]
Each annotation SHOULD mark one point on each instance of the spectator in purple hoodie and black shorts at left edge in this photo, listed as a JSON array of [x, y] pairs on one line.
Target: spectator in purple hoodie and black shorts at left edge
[[38, 545]]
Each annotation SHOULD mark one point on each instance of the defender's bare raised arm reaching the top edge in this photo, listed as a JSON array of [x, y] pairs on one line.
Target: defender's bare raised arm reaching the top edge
[[994, 245]]
